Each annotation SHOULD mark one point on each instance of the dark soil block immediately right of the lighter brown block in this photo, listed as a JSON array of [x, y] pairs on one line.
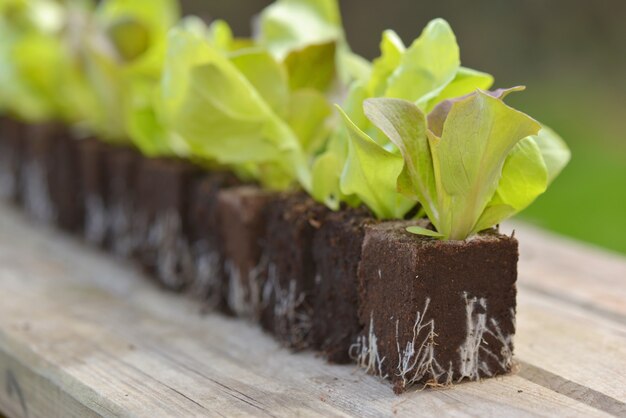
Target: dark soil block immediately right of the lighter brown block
[[288, 294]]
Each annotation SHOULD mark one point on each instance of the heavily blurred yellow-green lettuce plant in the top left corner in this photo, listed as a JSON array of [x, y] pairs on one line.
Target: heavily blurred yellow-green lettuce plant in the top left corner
[[37, 56]]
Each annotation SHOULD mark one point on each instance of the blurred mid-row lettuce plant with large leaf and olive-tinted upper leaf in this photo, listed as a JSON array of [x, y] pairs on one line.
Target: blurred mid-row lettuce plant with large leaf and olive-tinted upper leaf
[[260, 108]]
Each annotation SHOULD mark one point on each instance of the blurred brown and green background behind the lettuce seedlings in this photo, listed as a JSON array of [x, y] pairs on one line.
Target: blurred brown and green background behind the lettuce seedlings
[[571, 54]]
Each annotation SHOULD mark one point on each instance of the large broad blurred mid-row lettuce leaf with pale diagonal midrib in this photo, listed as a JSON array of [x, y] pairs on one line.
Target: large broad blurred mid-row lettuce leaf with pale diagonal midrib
[[234, 108]]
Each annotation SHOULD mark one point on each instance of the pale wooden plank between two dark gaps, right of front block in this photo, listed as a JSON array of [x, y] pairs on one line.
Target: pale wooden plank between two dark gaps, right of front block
[[566, 346]]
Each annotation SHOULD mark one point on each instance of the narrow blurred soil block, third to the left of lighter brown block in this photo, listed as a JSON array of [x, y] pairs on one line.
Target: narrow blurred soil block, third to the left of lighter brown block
[[121, 168]]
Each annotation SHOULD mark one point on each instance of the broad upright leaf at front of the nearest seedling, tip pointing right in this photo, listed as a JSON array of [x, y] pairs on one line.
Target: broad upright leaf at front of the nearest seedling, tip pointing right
[[479, 133]]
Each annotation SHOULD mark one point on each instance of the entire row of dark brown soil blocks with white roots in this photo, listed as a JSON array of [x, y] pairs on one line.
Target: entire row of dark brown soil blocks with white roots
[[414, 310]]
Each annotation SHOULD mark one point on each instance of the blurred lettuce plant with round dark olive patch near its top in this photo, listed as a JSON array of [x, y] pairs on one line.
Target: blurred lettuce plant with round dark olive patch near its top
[[125, 51]]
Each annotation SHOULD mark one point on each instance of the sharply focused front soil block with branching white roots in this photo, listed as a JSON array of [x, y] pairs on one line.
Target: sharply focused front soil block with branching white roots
[[435, 312]]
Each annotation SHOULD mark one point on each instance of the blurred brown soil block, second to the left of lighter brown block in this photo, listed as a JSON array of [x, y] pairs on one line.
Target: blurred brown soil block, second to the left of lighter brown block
[[163, 190]]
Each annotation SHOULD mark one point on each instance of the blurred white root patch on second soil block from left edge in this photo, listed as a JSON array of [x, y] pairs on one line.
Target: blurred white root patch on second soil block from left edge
[[37, 199]]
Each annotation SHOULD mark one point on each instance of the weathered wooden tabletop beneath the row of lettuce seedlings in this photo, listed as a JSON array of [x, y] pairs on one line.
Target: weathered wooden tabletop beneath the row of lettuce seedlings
[[84, 335]]
